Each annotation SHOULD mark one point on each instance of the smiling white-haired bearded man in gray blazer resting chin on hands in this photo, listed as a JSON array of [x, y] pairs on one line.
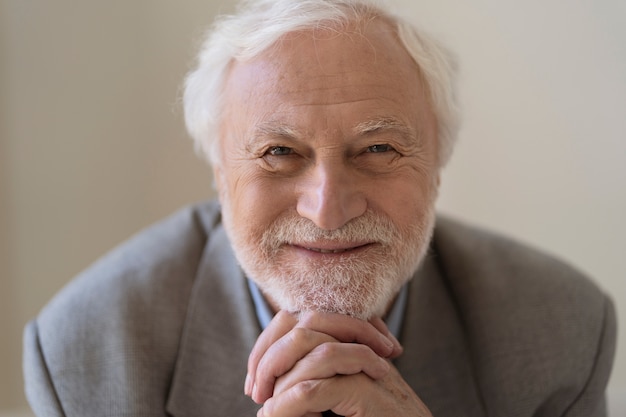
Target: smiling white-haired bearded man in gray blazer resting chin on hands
[[327, 123]]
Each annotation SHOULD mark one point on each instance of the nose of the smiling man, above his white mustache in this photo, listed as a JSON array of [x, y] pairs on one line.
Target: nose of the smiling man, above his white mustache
[[330, 196]]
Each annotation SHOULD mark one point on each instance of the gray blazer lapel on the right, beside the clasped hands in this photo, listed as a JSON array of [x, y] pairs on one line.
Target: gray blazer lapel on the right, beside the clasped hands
[[436, 361]]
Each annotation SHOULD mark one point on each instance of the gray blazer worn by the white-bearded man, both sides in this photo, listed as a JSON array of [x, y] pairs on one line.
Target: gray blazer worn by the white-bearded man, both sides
[[163, 325]]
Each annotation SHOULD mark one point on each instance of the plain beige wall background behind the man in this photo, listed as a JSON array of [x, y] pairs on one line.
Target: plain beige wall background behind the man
[[93, 149]]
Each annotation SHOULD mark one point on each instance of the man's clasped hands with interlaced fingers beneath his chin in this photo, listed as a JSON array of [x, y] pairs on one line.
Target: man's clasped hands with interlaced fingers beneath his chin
[[303, 365]]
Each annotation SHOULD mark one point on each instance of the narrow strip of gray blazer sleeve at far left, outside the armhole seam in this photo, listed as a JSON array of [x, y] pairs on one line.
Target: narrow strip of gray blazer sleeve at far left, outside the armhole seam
[[38, 384]]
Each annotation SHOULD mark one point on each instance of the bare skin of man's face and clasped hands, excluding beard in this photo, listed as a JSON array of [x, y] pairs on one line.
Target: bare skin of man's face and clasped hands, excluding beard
[[301, 134]]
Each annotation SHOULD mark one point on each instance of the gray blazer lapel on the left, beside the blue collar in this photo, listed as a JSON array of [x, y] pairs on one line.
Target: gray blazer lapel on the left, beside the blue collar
[[220, 330]]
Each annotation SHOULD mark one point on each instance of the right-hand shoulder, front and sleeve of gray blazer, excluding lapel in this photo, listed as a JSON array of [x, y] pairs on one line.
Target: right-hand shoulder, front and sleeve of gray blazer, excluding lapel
[[536, 326]]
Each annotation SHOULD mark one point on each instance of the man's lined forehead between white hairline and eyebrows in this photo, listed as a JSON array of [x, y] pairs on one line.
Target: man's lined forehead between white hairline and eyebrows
[[361, 68]]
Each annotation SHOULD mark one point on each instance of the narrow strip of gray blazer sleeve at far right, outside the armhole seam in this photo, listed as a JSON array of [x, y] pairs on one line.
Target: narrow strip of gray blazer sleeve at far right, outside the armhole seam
[[592, 401]]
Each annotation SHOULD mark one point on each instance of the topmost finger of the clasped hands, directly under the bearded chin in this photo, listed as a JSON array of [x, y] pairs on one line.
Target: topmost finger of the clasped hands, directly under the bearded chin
[[349, 329]]
